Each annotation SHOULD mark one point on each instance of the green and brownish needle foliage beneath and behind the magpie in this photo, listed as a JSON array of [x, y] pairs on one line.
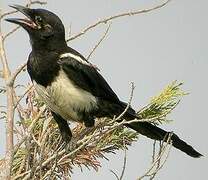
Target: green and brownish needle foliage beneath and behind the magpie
[[40, 151]]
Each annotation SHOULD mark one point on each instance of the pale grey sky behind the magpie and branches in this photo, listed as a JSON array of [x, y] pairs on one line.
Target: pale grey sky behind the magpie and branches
[[151, 50]]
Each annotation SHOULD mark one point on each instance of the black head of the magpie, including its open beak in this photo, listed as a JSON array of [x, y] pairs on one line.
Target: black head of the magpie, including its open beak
[[44, 27]]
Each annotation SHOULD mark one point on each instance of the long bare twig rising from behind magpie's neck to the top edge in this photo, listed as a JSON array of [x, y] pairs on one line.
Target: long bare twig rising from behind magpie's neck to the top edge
[[105, 20]]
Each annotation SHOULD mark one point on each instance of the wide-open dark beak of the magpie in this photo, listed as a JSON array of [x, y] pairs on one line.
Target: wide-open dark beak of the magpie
[[25, 23]]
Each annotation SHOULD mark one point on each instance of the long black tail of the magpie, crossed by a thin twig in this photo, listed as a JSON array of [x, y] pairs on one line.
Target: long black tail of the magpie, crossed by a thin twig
[[156, 133]]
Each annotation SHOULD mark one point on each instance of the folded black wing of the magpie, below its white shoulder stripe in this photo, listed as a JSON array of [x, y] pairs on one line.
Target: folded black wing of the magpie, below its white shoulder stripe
[[85, 76]]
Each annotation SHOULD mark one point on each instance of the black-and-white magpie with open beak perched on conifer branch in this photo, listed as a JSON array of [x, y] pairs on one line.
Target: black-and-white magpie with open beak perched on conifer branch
[[72, 87]]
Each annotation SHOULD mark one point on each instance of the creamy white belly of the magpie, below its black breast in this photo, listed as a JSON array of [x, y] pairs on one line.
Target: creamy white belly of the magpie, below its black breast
[[64, 98]]
